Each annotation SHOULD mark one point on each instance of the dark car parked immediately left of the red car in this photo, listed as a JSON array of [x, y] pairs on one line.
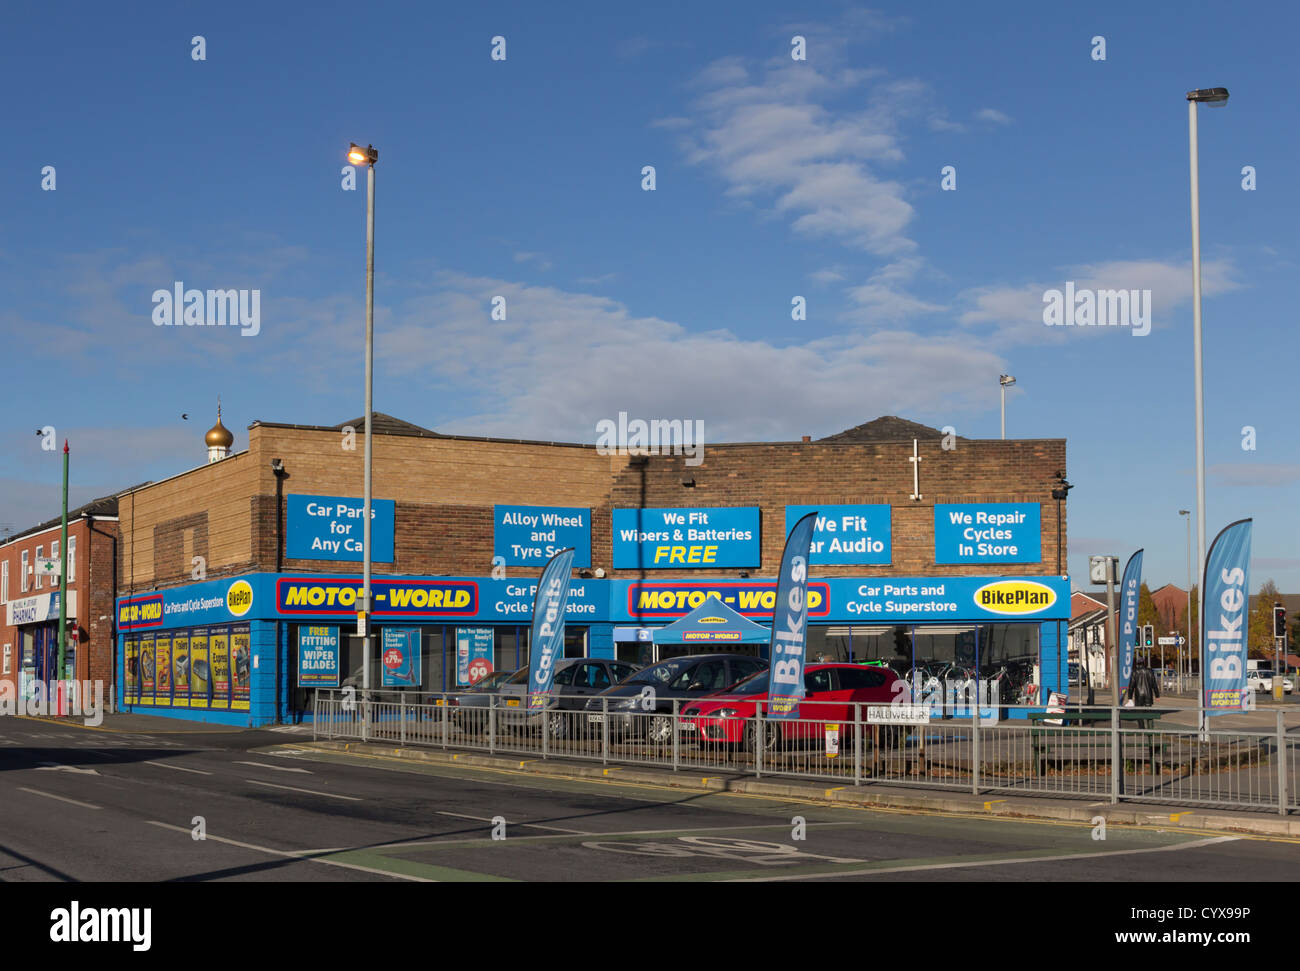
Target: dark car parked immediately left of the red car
[[643, 704]]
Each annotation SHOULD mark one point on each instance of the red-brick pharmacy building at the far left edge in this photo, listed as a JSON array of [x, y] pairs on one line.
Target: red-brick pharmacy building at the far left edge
[[29, 630]]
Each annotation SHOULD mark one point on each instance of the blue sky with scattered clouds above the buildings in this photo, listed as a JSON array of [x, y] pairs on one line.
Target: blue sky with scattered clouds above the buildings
[[775, 179]]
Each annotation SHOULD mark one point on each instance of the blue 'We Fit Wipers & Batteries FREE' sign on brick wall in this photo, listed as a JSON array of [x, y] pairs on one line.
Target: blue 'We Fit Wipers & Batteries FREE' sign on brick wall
[[687, 539]]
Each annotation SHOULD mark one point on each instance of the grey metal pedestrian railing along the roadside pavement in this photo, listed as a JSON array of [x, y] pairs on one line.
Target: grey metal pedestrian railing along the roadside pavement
[[1099, 753]]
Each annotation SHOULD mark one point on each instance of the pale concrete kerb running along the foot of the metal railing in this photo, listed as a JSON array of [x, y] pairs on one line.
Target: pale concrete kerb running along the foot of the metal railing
[[866, 797]]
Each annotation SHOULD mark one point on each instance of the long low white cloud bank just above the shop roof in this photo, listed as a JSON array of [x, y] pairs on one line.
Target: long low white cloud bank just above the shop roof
[[562, 362]]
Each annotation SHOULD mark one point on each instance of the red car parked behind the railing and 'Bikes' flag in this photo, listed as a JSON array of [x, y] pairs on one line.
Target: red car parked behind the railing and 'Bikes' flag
[[833, 691]]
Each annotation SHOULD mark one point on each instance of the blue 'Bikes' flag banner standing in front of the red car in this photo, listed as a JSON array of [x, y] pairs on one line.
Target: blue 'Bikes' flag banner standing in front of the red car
[[790, 623]]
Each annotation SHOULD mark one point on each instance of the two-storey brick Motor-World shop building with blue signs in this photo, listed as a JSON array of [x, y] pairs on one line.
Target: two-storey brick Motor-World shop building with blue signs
[[224, 565]]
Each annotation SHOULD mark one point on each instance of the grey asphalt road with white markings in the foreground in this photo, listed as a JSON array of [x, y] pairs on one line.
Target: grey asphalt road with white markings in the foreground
[[81, 804]]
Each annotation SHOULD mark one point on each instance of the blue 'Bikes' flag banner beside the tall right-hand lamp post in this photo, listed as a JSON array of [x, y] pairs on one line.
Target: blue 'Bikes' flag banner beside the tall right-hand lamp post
[[1224, 626]]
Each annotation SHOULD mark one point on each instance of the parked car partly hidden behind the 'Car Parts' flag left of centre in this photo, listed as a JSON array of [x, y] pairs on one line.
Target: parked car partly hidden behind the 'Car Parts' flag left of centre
[[577, 680]]
